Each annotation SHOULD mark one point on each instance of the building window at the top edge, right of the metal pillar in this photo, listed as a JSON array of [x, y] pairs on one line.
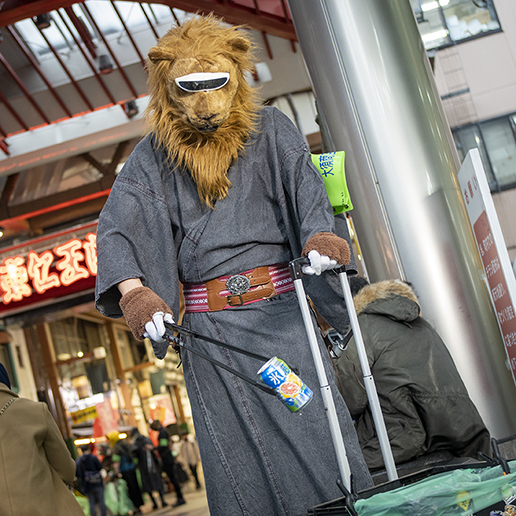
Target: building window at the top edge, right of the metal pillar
[[445, 22]]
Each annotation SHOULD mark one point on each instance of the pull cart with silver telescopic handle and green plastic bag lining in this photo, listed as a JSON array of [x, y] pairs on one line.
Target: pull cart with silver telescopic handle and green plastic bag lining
[[493, 477]]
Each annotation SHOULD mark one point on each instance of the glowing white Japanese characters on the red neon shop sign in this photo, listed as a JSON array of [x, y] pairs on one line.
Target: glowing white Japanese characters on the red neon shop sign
[[63, 265]]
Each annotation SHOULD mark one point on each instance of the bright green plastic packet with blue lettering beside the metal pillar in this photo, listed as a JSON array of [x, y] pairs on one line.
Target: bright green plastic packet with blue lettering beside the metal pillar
[[331, 167]]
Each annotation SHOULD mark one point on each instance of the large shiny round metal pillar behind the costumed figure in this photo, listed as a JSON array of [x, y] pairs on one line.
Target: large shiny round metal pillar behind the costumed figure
[[378, 101]]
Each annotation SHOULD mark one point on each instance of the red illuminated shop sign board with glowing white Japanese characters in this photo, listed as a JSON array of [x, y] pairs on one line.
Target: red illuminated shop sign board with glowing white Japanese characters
[[48, 268]]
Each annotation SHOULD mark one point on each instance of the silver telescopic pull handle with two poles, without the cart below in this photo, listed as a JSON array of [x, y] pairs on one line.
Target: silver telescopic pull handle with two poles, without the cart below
[[372, 395]]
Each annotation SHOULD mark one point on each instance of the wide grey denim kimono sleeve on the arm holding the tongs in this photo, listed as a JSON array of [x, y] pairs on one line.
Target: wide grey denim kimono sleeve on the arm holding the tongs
[[134, 236]]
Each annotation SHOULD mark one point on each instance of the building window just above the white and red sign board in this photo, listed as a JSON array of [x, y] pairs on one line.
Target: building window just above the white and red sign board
[[496, 141]]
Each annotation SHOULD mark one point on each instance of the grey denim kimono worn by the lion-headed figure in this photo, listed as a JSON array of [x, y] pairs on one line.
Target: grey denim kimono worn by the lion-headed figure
[[258, 457]]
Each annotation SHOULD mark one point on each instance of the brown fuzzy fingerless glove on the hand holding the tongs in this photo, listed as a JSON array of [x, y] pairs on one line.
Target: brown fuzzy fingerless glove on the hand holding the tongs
[[138, 306]]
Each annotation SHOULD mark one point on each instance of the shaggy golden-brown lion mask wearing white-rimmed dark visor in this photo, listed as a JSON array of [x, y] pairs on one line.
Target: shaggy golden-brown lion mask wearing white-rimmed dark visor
[[203, 130]]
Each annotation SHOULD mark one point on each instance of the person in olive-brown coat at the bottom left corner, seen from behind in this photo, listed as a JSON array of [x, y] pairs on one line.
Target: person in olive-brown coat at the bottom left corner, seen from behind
[[36, 464]]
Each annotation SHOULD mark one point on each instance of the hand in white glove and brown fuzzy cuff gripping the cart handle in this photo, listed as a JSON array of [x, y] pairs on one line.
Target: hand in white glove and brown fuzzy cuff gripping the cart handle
[[325, 251]]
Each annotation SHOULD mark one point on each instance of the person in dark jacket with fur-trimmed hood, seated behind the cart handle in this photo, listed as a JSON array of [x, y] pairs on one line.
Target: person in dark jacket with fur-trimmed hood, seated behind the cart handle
[[424, 401]]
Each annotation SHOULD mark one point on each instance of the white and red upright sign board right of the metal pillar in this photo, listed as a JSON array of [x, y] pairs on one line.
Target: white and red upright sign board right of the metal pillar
[[492, 248]]
